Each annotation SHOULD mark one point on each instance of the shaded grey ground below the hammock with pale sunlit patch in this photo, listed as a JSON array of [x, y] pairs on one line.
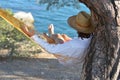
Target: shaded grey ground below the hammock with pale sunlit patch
[[44, 67]]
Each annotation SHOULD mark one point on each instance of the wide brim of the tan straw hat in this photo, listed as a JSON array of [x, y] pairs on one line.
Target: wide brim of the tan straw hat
[[73, 24]]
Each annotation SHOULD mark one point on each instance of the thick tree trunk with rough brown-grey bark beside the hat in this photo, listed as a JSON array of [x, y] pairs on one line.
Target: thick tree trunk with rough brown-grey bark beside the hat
[[103, 59]]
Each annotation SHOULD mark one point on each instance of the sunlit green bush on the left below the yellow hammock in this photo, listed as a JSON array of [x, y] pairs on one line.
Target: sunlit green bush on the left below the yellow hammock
[[15, 42]]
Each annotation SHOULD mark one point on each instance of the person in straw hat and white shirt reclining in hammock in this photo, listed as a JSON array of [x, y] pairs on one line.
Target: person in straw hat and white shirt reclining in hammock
[[73, 50]]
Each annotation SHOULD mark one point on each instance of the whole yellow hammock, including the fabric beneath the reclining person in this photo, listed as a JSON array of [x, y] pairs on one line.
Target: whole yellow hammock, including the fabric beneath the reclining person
[[17, 24]]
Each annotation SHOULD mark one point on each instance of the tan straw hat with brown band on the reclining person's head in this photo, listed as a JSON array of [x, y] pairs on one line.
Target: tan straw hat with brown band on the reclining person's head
[[81, 22]]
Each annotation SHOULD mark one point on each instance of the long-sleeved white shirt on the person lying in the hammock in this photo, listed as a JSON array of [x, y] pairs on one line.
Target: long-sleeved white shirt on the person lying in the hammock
[[67, 53]]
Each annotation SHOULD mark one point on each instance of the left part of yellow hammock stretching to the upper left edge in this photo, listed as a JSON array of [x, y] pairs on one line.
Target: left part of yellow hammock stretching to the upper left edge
[[15, 23]]
